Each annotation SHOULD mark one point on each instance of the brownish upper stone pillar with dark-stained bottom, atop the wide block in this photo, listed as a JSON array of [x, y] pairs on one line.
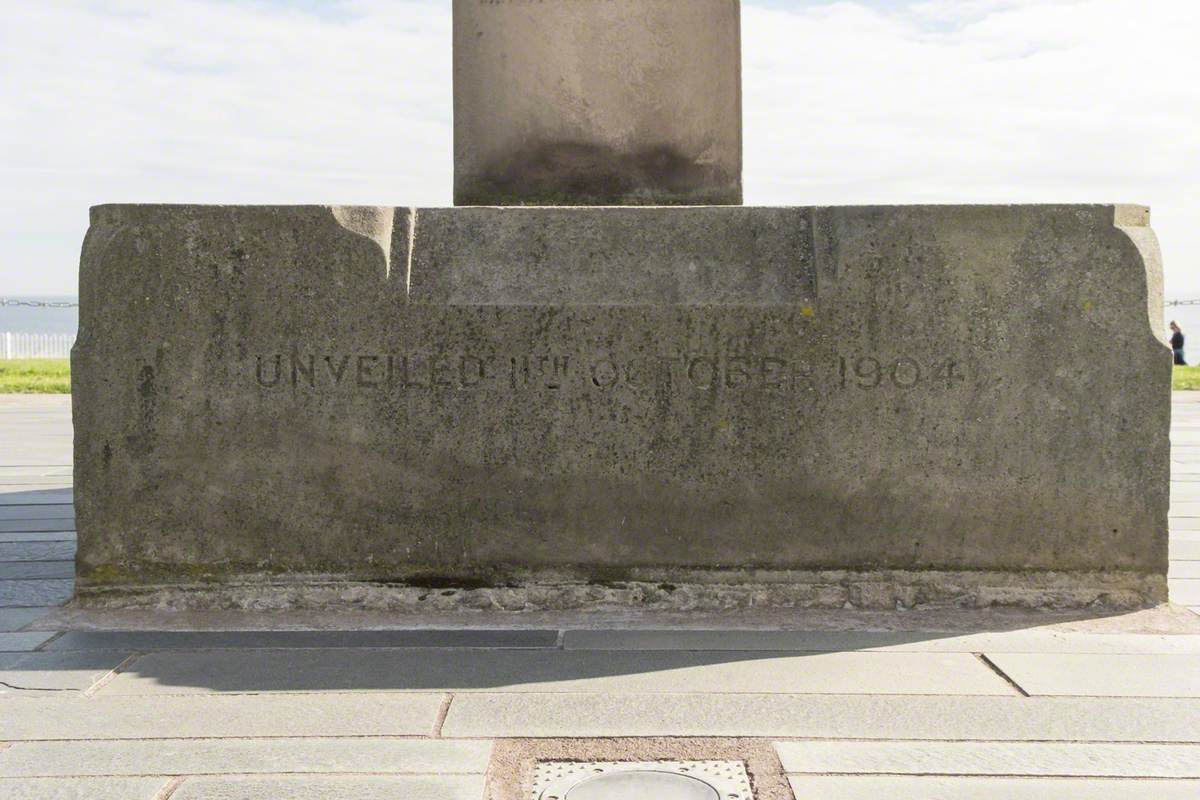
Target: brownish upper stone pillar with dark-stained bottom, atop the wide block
[[569, 103]]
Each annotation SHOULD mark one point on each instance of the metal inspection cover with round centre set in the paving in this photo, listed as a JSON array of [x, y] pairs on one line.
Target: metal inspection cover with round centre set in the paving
[[641, 781]]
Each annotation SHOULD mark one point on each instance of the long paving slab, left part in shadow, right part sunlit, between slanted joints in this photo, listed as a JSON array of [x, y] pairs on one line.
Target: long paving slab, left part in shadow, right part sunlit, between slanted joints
[[556, 671]]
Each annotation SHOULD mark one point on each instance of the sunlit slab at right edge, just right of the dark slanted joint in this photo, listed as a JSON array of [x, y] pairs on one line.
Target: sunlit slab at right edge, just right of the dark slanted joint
[[1103, 676]]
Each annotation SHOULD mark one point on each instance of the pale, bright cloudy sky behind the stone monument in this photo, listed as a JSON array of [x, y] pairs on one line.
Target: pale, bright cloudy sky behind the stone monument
[[350, 103]]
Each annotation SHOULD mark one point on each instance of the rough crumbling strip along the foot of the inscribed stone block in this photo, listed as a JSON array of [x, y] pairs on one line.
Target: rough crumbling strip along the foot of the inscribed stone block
[[739, 591]]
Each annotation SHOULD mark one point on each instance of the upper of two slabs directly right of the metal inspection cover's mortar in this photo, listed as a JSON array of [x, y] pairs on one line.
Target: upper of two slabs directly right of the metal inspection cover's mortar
[[991, 759]]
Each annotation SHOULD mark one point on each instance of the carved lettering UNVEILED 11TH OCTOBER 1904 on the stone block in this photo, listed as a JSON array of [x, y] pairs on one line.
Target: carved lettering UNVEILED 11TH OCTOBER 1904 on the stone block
[[559, 371]]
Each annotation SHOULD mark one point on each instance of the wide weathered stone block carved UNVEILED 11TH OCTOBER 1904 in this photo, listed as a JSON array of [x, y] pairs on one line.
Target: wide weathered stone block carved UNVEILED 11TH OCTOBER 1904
[[445, 396]]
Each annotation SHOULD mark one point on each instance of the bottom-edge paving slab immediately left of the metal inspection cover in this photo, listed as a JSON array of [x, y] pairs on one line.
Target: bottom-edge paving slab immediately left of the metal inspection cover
[[401, 787]]
